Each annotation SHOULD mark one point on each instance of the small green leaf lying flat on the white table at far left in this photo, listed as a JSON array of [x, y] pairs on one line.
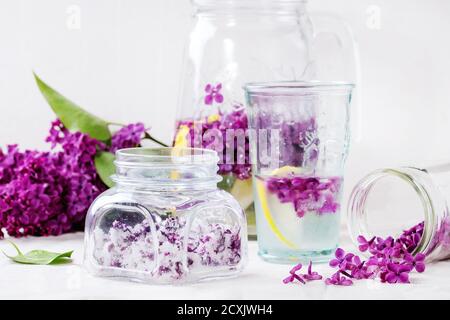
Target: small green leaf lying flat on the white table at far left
[[39, 256]]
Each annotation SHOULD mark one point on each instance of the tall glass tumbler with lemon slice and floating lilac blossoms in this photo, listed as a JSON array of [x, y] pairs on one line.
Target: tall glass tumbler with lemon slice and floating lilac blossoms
[[300, 139]]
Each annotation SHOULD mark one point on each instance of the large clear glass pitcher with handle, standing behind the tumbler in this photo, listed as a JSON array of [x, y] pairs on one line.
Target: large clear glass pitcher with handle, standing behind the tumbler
[[233, 42]]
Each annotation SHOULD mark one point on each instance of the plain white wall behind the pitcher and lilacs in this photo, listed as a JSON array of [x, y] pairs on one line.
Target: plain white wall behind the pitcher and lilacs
[[124, 60]]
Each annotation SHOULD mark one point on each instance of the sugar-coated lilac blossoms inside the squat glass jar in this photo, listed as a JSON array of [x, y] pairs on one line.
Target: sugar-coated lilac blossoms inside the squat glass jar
[[133, 247]]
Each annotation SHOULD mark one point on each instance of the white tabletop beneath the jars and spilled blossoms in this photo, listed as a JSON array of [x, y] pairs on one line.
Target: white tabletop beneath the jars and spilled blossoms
[[260, 280]]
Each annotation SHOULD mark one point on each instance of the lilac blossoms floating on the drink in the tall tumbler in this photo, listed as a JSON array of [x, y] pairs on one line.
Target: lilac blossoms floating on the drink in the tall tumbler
[[319, 195]]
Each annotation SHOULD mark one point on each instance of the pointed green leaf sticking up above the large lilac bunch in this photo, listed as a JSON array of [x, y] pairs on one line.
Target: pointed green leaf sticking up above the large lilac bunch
[[72, 116]]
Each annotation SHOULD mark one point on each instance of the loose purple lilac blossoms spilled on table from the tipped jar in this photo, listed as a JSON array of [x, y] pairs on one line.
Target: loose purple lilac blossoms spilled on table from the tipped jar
[[391, 260]]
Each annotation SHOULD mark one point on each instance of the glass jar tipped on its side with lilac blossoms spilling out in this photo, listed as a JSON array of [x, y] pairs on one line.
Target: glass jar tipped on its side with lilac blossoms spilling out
[[404, 201]]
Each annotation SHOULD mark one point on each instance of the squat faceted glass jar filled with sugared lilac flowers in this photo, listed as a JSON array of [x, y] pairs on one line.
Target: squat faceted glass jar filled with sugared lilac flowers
[[165, 221]]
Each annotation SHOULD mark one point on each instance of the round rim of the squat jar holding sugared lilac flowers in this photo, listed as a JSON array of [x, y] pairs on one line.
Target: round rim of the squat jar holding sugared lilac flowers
[[144, 156]]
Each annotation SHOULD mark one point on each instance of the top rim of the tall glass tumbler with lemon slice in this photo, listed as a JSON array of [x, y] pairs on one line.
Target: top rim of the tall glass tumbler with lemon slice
[[293, 87]]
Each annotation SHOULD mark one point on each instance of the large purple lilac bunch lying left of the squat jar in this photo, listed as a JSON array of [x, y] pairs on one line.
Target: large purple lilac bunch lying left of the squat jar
[[48, 193]]
